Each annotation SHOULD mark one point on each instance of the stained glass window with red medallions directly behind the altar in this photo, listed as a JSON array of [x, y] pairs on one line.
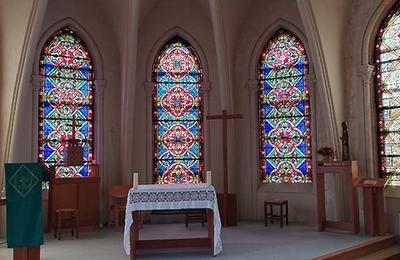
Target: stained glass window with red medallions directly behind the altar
[[177, 115]]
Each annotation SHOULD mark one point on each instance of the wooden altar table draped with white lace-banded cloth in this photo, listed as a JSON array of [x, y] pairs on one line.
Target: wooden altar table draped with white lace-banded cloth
[[172, 196]]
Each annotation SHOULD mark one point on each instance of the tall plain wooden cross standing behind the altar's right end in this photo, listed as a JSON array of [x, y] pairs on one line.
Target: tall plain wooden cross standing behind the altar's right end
[[225, 117]]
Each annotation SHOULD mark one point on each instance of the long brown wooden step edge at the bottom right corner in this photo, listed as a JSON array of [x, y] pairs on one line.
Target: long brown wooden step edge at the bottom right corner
[[363, 249]]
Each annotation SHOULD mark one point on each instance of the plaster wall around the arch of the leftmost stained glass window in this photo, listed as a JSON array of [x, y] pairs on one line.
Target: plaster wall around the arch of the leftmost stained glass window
[[93, 21]]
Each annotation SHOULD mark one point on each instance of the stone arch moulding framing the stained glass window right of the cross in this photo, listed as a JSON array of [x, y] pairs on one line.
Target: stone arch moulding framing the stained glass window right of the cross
[[253, 87]]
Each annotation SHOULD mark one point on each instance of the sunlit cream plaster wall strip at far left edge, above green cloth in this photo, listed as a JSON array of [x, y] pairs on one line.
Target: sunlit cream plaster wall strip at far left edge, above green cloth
[[15, 20]]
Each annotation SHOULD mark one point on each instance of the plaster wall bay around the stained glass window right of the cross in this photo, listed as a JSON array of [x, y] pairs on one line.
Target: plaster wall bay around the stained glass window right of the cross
[[251, 192]]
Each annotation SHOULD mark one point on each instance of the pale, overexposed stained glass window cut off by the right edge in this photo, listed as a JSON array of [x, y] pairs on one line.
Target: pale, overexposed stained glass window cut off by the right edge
[[387, 90]]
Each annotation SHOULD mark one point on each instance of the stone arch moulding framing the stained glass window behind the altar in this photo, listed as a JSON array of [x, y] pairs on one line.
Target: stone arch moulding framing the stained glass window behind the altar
[[149, 87]]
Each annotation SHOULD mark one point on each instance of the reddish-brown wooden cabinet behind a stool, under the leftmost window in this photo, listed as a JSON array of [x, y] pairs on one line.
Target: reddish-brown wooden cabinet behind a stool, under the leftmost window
[[81, 193]]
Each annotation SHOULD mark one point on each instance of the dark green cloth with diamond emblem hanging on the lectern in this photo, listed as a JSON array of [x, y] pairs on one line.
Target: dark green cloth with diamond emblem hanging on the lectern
[[24, 204]]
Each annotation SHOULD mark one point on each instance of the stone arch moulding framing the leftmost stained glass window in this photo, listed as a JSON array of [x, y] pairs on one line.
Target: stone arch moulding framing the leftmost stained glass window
[[99, 84]]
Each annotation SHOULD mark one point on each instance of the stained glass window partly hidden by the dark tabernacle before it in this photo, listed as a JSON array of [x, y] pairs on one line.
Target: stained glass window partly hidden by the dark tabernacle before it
[[66, 93]]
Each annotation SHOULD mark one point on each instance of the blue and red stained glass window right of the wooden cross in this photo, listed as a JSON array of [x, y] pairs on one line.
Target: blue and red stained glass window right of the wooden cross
[[284, 111]]
